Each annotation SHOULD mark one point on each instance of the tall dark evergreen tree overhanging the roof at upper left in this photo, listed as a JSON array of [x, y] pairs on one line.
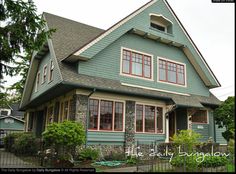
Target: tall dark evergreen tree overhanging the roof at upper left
[[21, 32]]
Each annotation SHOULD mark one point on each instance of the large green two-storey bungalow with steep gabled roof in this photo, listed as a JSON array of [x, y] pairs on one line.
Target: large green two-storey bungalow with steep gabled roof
[[143, 79]]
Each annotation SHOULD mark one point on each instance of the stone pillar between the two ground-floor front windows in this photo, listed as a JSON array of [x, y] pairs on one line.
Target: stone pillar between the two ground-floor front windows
[[129, 124]]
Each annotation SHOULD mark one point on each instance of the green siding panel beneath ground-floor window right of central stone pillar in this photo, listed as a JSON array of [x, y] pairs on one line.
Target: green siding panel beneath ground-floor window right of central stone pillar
[[148, 138]]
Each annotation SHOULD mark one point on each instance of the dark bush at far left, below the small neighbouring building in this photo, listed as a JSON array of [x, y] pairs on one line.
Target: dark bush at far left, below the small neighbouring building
[[9, 141]]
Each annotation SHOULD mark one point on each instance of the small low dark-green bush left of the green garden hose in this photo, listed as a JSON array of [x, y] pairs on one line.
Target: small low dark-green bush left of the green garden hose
[[88, 154]]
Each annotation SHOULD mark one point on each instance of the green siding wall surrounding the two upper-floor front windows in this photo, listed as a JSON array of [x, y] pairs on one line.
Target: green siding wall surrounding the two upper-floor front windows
[[106, 64]]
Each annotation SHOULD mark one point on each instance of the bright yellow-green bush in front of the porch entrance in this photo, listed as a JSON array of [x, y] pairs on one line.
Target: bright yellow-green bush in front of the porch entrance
[[187, 138]]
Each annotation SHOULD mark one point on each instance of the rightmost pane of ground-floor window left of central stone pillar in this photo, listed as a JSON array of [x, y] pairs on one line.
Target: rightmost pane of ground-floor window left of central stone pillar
[[118, 116]]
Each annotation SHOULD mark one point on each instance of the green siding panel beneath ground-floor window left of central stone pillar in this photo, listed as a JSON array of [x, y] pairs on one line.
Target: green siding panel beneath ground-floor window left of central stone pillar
[[106, 138]]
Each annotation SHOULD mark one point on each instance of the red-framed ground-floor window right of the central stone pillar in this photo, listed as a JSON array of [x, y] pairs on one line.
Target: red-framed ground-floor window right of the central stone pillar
[[149, 119]]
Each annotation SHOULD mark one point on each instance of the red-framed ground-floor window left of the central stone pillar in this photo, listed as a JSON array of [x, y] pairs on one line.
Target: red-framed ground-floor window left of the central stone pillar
[[106, 115]]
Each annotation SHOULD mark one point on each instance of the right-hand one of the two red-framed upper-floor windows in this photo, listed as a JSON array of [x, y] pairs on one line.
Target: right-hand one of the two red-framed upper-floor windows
[[171, 72]]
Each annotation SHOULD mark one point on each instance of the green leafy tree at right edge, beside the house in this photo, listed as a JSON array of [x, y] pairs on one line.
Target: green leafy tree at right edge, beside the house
[[225, 117]]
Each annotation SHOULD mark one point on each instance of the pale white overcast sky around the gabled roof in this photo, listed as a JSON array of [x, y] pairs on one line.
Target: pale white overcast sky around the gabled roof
[[210, 25]]
